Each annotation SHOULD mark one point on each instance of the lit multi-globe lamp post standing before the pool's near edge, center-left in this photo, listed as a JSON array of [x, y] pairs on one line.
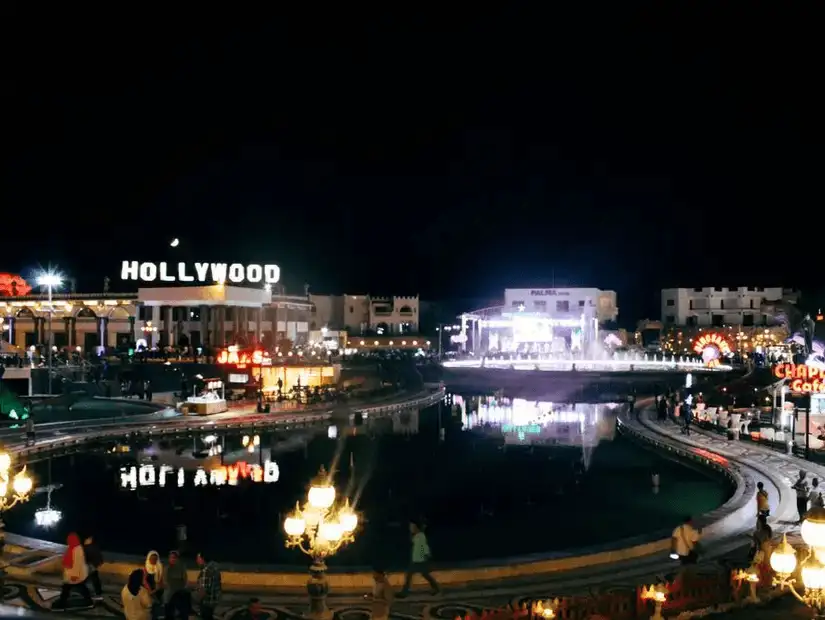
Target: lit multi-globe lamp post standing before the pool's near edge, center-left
[[319, 528]]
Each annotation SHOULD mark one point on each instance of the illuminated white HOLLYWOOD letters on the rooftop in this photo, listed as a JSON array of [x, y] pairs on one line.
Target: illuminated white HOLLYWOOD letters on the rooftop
[[206, 273]]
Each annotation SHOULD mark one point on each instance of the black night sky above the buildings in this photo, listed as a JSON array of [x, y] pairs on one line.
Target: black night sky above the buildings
[[451, 153]]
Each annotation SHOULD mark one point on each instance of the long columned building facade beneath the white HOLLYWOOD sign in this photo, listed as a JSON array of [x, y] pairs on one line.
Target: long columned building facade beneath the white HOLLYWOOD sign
[[213, 316]]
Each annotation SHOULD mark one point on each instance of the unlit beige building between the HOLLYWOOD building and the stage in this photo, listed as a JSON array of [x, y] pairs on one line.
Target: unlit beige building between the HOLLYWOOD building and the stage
[[361, 314]]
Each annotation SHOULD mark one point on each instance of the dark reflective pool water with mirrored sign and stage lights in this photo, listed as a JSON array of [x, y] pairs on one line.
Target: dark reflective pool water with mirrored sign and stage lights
[[491, 476]]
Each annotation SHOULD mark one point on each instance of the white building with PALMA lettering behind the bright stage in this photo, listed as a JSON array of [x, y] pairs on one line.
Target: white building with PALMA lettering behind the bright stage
[[569, 303]]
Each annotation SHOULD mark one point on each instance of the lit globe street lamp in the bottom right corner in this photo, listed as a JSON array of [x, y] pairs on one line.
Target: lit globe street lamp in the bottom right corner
[[784, 563]]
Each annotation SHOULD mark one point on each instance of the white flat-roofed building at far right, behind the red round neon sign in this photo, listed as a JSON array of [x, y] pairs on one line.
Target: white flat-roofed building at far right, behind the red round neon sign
[[717, 306]]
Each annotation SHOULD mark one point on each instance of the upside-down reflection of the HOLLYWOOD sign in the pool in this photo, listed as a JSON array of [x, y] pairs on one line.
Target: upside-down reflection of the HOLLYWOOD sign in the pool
[[150, 475]]
